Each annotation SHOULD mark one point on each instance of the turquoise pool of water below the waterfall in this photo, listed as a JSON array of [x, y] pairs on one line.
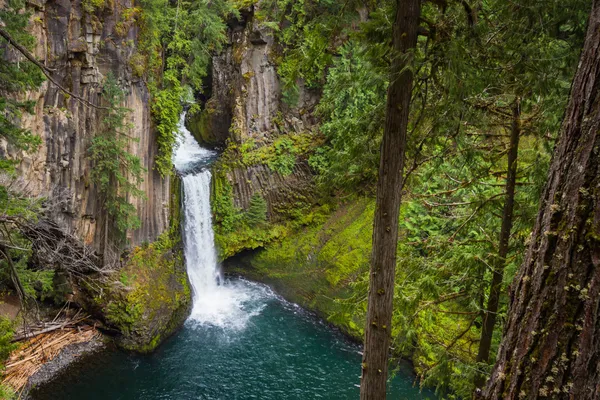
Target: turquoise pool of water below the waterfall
[[275, 350]]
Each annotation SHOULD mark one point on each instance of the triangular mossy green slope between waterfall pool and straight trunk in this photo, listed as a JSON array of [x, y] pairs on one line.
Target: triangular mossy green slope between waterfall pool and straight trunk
[[316, 267]]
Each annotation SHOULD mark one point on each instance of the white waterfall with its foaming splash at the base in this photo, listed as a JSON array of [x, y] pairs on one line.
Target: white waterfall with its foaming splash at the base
[[215, 301]]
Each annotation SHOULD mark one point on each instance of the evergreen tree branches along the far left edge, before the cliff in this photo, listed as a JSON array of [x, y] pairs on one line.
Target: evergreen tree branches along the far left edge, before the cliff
[[16, 75]]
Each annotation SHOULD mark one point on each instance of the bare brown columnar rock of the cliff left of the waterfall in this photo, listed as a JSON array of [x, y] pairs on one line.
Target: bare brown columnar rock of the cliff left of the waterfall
[[80, 48]]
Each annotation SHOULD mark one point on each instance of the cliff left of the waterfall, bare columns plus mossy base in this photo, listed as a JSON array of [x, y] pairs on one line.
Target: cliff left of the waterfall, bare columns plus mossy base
[[81, 41]]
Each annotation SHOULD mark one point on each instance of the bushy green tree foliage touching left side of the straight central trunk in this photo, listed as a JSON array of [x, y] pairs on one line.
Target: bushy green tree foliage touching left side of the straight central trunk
[[353, 109]]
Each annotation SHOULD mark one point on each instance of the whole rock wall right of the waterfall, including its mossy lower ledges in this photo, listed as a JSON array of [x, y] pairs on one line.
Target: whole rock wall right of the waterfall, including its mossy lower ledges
[[265, 137]]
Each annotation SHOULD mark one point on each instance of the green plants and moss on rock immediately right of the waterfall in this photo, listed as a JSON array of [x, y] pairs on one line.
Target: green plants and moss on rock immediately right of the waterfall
[[236, 229]]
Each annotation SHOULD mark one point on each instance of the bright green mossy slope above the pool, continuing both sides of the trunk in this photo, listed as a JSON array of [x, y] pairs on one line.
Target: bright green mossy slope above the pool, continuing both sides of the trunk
[[324, 267]]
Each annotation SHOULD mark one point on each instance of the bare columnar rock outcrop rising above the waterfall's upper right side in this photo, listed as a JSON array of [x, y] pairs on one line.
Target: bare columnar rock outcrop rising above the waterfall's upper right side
[[246, 100]]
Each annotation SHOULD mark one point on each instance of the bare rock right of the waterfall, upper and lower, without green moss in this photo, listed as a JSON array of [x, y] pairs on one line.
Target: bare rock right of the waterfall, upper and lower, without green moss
[[246, 105]]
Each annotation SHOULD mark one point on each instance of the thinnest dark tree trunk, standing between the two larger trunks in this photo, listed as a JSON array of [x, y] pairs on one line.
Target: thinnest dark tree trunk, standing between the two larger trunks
[[489, 320]]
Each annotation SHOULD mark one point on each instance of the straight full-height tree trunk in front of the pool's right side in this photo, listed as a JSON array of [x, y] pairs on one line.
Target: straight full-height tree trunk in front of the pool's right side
[[385, 231]]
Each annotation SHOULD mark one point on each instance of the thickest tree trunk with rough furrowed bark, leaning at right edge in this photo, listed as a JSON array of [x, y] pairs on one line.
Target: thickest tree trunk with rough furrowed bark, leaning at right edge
[[551, 345]]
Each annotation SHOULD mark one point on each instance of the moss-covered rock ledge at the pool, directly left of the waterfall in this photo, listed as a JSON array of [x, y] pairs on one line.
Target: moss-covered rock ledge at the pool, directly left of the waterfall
[[149, 297]]
